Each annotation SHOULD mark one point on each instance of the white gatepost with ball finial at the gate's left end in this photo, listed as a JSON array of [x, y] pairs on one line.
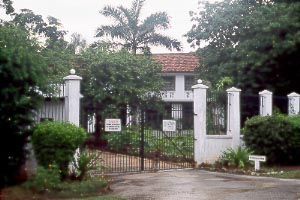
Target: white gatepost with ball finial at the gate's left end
[[72, 97]]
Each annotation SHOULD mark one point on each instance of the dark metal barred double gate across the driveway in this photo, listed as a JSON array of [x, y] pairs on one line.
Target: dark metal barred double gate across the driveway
[[145, 146]]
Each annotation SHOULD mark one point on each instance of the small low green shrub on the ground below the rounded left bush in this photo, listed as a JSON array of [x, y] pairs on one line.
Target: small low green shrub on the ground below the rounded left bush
[[45, 179]]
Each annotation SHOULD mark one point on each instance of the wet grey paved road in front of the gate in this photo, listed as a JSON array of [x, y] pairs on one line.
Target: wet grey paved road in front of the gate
[[192, 184]]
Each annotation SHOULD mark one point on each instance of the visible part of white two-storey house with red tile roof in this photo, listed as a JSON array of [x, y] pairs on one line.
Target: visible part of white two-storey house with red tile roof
[[178, 72]]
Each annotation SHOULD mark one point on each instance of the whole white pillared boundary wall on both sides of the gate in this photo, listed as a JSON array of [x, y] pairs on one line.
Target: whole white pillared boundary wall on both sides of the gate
[[207, 148]]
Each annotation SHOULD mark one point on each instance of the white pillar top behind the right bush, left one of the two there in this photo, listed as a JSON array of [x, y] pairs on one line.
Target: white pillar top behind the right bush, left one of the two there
[[265, 107]]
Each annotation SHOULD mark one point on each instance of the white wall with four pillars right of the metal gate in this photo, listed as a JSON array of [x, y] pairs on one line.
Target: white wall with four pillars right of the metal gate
[[208, 148]]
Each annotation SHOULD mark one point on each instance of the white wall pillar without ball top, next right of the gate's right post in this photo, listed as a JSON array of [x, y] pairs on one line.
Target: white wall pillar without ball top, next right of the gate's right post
[[234, 116]]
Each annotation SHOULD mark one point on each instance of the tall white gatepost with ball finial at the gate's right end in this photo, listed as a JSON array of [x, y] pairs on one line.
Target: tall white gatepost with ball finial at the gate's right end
[[199, 121]]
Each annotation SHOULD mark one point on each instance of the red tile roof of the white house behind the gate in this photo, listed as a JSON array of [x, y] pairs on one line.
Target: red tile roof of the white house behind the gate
[[177, 62]]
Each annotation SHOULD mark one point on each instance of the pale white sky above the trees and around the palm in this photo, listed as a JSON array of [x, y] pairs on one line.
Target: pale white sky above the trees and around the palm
[[83, 17]]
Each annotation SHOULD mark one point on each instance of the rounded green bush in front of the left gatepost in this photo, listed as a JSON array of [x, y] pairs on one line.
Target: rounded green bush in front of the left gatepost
[[56, 142]]
